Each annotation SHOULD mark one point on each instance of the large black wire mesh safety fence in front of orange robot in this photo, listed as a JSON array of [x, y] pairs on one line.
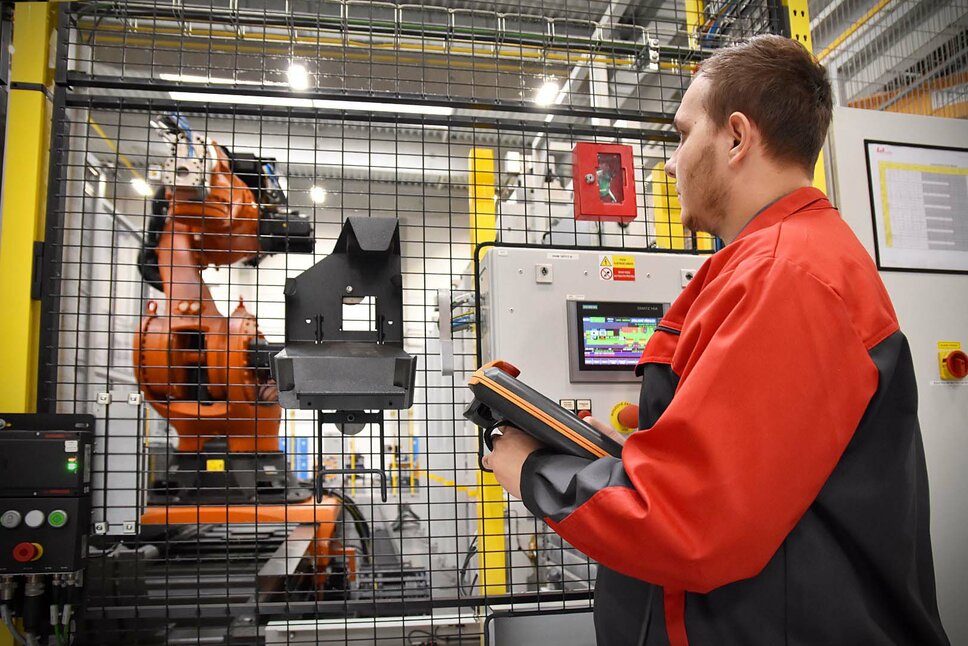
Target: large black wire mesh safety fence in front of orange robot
[[206, 154]]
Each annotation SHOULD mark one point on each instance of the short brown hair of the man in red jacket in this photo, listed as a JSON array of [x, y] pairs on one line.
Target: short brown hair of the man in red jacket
[[781, 87]]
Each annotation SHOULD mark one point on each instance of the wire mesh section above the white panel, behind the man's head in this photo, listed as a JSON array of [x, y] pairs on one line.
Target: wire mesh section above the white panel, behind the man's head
[[909, 57]]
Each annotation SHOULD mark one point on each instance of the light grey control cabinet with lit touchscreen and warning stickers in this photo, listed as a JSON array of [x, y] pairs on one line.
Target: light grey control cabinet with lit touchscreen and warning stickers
[[575, 321]]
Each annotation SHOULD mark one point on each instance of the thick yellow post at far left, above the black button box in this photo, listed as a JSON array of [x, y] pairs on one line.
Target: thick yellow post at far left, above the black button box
[[25, 168]]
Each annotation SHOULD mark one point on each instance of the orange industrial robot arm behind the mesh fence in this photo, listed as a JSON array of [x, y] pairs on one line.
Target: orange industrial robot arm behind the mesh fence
[[194, 365]]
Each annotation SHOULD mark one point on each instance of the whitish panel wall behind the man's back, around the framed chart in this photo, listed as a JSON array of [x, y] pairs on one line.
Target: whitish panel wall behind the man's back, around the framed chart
[[930, 308]]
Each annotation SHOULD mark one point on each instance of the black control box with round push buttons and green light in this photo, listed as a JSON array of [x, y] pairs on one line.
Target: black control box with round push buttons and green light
[[45, 492]]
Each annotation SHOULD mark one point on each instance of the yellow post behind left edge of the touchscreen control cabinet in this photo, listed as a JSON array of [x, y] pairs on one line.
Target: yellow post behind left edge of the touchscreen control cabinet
[[491, 531]]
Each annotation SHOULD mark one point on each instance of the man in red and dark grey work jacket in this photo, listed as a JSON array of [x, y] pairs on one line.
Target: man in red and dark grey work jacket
[[777, 492]]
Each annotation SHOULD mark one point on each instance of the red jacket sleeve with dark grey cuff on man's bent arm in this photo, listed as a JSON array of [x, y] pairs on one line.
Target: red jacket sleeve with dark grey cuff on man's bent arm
[[774, 379]]
